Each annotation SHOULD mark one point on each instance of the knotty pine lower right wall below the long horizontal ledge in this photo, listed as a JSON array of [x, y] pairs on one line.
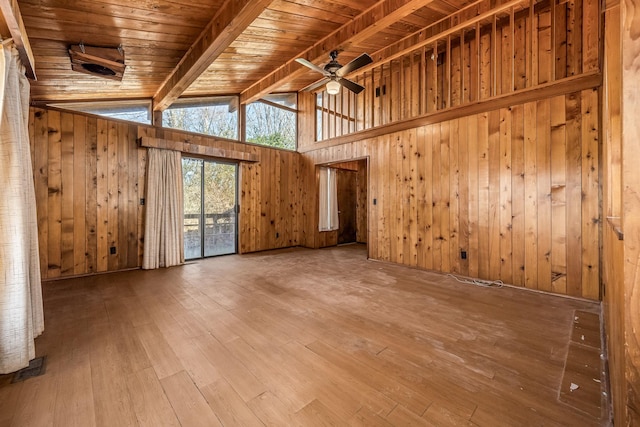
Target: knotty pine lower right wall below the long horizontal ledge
[[515, 188]]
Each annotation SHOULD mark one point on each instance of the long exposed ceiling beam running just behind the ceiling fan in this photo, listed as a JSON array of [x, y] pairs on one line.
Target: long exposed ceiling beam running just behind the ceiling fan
[[371, 21]]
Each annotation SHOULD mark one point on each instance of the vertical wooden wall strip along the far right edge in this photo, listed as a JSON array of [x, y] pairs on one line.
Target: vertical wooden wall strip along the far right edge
[[621, 203]]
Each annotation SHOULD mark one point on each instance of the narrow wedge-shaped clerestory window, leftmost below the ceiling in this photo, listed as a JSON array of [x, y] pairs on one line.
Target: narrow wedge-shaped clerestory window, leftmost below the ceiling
[[133, 111]]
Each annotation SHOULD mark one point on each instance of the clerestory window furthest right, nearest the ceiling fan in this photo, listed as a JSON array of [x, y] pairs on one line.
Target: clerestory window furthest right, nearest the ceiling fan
[[272, 121]]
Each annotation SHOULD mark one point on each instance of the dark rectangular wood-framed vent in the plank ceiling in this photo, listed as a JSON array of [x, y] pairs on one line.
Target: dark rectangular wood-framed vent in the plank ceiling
[[98, 61]]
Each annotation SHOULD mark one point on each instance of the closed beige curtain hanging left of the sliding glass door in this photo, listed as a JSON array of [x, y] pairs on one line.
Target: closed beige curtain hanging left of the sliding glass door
[[163, 231]]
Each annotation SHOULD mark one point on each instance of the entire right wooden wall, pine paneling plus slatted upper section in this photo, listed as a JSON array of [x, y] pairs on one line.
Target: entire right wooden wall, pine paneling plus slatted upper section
[[483, 136]]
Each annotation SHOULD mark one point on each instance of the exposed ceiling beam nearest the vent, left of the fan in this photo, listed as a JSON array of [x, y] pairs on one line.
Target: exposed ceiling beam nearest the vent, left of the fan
[[230, 21]]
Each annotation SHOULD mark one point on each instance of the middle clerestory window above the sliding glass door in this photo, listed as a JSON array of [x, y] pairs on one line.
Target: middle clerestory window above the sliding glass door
[[215, 116]]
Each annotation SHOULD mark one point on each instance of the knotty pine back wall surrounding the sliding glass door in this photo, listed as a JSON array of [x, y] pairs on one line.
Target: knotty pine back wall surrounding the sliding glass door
[[90, 176]]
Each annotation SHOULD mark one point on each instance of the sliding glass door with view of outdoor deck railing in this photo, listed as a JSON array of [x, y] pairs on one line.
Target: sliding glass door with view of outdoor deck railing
[[210, 214]]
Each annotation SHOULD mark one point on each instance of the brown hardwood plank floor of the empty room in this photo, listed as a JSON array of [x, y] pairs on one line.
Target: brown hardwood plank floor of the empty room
[[299, 337]]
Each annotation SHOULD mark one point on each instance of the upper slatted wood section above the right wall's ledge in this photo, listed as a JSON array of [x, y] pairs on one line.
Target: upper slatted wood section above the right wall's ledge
[[507, 51]]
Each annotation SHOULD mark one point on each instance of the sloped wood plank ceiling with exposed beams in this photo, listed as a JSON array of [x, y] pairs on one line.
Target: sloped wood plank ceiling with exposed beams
[[186, 48]]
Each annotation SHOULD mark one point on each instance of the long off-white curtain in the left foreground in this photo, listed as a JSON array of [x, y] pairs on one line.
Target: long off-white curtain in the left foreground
[[21, 314]]
